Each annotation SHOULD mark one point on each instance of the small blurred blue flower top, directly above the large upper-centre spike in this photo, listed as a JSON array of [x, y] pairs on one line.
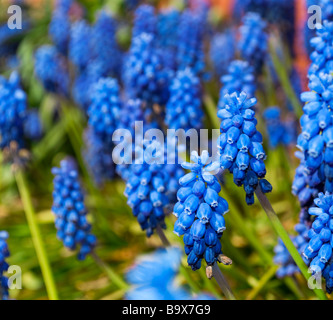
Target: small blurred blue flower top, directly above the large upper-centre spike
[[145, 20]]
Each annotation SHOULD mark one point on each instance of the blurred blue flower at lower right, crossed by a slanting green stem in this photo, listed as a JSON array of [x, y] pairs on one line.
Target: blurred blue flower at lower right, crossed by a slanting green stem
[[283, 257]]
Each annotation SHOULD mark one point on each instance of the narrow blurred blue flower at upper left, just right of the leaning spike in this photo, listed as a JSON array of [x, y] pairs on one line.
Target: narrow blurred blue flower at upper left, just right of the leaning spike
[[80, 44]]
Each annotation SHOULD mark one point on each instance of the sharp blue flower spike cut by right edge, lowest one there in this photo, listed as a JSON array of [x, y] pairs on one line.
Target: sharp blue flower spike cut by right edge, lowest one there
[[319, 248]]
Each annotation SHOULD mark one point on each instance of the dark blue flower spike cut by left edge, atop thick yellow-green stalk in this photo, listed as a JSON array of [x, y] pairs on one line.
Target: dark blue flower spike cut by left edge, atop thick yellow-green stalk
[[13, 109]]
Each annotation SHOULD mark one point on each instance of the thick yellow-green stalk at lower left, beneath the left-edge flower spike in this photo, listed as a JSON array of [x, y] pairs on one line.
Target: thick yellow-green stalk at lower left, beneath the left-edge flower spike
[[36, 236]]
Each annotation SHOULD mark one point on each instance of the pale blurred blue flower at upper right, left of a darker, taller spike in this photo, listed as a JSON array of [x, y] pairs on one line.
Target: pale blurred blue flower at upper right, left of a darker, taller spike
[[222, 51]]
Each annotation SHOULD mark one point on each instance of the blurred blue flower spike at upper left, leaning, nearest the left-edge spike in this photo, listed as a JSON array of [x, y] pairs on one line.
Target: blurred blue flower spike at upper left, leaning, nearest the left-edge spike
[[51, 70]]
